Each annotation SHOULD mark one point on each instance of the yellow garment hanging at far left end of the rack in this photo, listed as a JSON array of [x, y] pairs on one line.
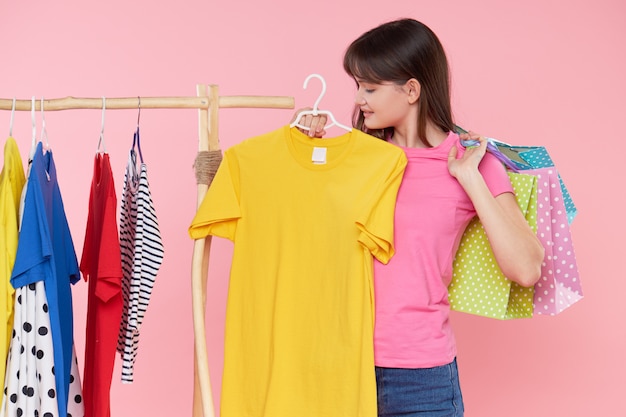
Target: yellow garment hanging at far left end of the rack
[[12, 180]]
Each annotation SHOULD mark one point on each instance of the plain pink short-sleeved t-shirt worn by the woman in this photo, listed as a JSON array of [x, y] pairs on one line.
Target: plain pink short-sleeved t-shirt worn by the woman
[[432, 211]]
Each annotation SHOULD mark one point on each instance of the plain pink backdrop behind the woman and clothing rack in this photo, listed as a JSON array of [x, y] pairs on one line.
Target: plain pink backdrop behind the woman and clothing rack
[[537, 72]]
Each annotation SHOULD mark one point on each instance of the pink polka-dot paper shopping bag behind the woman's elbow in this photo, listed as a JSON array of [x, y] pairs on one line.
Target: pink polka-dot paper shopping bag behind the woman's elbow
[[559, 286]]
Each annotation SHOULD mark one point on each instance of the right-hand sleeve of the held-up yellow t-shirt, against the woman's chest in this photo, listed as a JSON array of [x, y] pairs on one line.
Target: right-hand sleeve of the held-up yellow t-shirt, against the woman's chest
[[376, 225]]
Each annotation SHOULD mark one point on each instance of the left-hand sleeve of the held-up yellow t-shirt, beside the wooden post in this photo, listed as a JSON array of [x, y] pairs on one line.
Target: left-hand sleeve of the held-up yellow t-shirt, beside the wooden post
[[219, 211]]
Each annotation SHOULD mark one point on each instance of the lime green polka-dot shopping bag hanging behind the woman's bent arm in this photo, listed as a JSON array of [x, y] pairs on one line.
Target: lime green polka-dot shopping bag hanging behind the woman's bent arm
[[478, 285]]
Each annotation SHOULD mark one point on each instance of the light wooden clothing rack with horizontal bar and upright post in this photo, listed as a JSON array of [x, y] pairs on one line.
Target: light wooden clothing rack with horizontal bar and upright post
[[208, 102]]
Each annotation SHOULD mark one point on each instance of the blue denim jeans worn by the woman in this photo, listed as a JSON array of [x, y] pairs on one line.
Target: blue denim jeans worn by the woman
[[425, 392]]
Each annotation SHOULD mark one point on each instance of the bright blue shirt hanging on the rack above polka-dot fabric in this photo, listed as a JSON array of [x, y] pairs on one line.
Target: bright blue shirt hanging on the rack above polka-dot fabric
[[45, 252]]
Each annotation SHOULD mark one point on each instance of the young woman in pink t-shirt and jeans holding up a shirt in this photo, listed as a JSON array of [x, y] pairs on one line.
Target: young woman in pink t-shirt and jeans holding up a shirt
[[403, 97]]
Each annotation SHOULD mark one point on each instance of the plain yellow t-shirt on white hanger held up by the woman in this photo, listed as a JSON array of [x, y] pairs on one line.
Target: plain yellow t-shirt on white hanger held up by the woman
[[299, 322]]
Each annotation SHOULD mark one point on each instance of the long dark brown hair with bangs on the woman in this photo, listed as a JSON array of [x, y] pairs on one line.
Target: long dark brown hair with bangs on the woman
[[396, 52]]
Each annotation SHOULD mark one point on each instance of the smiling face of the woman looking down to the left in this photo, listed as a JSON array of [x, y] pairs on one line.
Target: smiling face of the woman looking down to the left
[[383, 105]]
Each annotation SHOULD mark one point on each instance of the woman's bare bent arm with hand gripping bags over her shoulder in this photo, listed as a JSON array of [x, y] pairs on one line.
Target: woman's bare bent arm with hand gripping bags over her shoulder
[[517, 249]]
